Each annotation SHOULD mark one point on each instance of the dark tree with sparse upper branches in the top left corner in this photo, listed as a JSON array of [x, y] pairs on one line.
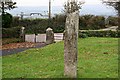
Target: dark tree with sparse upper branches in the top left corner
[[6, 17]]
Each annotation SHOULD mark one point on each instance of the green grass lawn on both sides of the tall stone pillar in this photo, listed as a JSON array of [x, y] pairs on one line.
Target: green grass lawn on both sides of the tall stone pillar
[[97, 58]]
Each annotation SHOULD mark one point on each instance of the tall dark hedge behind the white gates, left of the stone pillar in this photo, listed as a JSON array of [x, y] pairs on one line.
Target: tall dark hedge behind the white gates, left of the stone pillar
[[35, 26]]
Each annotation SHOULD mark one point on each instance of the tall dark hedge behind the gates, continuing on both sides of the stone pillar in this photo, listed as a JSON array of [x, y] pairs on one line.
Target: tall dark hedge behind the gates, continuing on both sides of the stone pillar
[[57, 23]]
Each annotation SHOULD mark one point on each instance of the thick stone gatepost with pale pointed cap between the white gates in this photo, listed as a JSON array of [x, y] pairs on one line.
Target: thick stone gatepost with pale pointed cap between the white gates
[[49, 36]]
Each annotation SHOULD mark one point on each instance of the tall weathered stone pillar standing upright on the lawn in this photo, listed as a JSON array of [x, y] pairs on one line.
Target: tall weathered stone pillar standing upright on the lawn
[[70, 40]]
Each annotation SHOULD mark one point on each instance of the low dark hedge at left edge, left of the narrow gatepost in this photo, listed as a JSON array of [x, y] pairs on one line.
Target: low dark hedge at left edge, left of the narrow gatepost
[[11, 32]]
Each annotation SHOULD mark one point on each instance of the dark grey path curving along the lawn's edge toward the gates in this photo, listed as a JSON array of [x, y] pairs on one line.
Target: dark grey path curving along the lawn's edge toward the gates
[[15, 51]]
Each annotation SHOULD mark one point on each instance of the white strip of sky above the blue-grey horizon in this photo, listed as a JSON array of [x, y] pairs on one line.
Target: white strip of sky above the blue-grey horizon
[[45, 2]]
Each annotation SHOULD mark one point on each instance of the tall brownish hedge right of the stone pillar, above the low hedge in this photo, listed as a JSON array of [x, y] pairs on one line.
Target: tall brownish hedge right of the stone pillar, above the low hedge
[[91, 22]]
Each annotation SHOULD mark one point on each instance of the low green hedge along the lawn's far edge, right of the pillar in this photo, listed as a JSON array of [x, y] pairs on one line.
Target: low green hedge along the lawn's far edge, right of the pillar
[[98, 33]]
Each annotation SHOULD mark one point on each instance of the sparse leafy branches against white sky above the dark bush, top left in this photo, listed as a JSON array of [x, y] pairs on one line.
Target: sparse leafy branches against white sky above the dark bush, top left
[[7, 5]]
